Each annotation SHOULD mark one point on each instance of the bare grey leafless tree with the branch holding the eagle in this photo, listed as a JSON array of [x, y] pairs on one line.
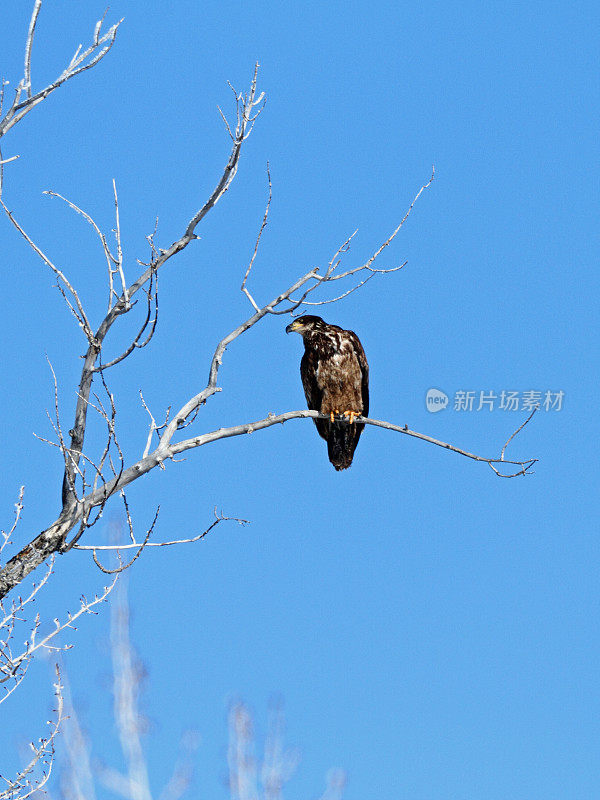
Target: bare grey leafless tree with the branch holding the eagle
[[90, 479]]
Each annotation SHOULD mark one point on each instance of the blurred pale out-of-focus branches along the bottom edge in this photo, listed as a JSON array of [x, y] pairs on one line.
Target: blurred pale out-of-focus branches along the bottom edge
[[84, 773]]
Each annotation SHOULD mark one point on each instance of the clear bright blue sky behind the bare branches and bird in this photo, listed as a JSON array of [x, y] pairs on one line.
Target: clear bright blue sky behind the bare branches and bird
[[432, 628]]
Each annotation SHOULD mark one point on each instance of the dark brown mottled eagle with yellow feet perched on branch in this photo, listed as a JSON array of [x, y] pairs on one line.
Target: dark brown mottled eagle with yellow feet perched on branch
[[335, 377]]
